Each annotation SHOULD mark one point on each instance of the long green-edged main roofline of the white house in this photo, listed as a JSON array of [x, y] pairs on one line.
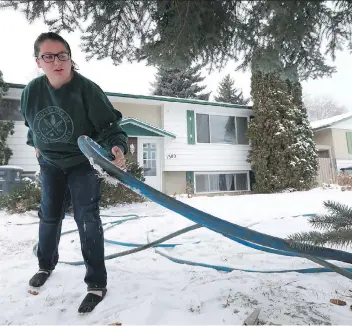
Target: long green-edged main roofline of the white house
[[161, 98]]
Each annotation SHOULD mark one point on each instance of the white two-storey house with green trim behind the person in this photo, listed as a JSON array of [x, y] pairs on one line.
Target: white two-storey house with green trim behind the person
[[179, 142]]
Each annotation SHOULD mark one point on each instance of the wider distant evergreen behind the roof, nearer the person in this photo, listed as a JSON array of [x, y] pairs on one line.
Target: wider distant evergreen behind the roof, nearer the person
[[182, 83]]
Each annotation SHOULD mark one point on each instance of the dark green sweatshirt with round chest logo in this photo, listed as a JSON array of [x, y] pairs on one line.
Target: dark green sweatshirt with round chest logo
[[57, 117]]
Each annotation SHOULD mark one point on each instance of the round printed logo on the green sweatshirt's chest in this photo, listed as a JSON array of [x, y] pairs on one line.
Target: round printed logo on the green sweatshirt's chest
[[53, 125]]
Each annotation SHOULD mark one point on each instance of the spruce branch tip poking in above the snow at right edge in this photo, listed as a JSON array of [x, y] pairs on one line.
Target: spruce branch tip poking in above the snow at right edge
[[336, 226]]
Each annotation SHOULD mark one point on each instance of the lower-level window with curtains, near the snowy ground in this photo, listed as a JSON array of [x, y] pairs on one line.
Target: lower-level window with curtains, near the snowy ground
[[220, 182]]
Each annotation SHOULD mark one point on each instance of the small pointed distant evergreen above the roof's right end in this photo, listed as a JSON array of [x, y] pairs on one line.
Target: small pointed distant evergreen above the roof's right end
[[228, 93]]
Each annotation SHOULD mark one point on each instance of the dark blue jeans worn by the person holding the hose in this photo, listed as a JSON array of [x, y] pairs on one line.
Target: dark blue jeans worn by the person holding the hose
[[79, 185]]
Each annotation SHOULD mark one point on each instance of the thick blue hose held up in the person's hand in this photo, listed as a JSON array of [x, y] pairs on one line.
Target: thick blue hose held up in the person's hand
[[97, 155]]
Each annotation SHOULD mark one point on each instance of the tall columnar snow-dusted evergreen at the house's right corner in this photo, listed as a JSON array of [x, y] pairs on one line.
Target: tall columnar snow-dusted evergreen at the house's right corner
[[282, 154]]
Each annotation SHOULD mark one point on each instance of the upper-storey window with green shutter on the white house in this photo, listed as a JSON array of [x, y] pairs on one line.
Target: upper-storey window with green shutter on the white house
[[221, 129]]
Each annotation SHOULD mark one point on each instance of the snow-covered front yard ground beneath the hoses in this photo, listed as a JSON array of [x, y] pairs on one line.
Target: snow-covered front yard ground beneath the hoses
[[146, 288]]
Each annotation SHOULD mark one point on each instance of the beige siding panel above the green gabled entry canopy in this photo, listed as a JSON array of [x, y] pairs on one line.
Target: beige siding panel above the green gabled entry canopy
[[148, 113]]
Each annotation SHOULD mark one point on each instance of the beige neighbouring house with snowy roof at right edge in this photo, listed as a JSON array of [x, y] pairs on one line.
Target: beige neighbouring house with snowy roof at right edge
[[333, 137]]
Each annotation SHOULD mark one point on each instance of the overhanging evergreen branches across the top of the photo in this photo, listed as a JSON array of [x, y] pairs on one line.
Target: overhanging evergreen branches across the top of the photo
[[176, 32]]
